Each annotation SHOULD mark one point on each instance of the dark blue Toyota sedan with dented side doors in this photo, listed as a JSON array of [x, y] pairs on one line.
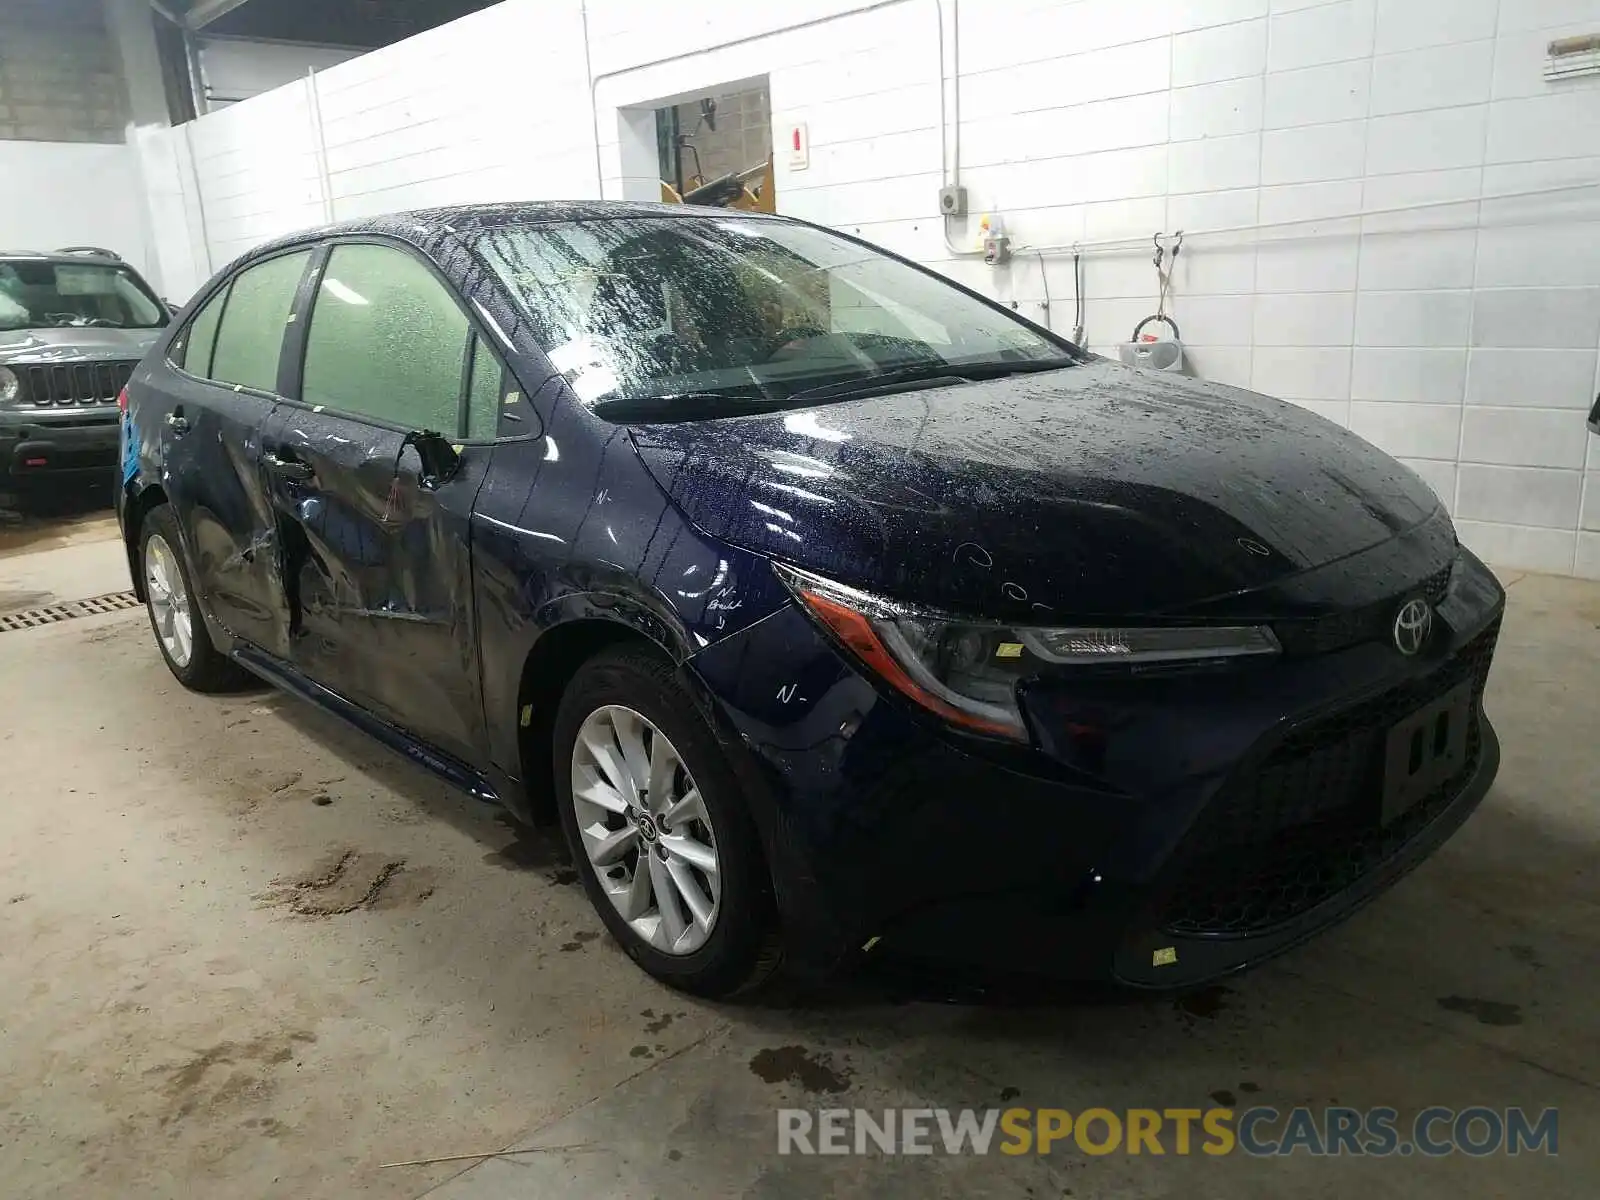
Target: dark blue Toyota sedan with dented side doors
[[834, 610]]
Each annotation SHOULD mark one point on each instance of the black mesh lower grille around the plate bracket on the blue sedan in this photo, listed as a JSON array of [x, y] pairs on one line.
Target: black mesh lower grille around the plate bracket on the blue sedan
[[1303, 826]]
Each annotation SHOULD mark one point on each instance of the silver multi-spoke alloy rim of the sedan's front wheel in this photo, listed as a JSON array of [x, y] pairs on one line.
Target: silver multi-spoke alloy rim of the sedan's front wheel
[[646, 830]]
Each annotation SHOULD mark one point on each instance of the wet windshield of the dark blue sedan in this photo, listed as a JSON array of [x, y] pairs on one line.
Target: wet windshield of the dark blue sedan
[[732, 314]]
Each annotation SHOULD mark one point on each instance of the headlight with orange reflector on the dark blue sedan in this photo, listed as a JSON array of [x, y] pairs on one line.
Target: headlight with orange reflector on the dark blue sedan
[[967, 671]]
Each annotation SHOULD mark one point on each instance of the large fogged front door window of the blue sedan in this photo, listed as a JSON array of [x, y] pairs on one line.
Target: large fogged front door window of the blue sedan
[[386, 340]]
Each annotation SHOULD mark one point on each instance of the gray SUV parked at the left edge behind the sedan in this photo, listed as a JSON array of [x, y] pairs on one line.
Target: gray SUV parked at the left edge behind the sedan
[[73, 327]]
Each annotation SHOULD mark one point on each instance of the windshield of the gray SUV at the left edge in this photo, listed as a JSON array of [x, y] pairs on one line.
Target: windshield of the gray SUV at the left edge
[[44, 295]]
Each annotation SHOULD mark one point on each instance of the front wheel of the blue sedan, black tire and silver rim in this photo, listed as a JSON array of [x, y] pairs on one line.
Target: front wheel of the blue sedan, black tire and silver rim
[[740, 950]]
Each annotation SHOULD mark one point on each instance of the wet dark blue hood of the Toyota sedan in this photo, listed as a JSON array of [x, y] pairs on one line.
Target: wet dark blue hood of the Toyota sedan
[[1092, 490]]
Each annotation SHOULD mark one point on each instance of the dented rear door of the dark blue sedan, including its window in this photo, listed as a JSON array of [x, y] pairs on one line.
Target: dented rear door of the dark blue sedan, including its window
[[223, 396]]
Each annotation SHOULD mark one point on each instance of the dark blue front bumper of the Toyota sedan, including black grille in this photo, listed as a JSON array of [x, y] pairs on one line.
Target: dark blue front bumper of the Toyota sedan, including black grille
[[1214, 822]]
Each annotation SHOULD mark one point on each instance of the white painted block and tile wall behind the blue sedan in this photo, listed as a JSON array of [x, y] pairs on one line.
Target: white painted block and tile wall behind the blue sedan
[[1463, 337]]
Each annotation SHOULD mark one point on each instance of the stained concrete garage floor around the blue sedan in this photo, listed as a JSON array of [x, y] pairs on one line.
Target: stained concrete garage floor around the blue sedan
[[247, 953]]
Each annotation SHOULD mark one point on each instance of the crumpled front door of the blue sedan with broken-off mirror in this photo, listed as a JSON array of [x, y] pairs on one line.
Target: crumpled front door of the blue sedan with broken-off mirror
[[374, 478]]
